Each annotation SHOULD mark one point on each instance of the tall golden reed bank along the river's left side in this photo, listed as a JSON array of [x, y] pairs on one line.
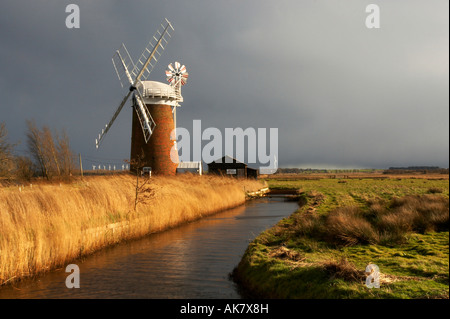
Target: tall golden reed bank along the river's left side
[[46, 226]]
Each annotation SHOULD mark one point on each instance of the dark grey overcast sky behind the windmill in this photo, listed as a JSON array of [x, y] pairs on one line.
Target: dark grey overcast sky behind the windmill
[[340, 94]]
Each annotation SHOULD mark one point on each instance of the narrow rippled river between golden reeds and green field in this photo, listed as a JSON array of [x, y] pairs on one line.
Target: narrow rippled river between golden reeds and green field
[[192, 261]]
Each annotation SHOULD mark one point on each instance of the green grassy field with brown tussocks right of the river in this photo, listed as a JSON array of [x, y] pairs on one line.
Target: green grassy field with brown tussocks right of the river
[[343, 225]]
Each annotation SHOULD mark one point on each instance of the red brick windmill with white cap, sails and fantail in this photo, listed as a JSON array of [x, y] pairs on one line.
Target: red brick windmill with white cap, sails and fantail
[[154, 103]]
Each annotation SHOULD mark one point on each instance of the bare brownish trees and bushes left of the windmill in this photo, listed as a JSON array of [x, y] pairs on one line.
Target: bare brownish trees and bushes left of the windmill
[[48, 154]]
